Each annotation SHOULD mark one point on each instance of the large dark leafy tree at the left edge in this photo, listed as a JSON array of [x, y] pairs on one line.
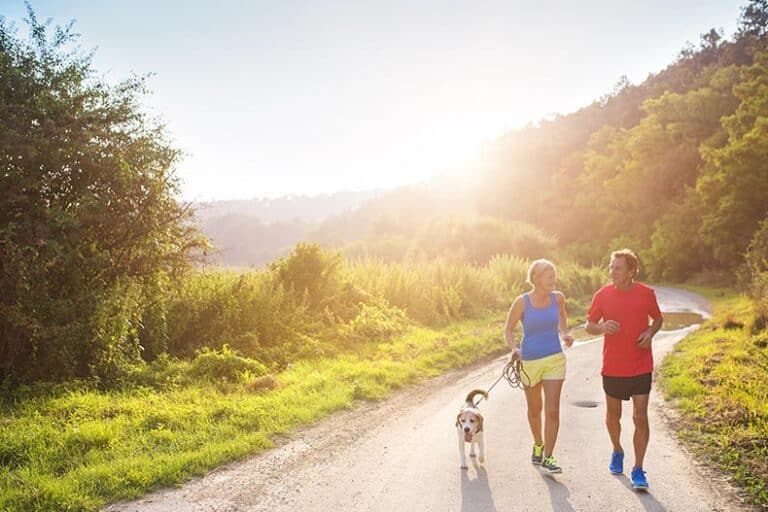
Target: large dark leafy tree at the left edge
[[88, 219]]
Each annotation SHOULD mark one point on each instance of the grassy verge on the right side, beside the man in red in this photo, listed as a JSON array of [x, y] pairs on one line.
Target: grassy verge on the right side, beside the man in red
[[718, 378]]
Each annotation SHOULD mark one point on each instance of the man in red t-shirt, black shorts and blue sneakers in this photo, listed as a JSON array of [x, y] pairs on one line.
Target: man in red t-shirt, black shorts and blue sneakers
[[620, 312]]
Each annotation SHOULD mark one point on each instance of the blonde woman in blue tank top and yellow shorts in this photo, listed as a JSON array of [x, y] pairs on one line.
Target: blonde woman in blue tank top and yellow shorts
[[542, 311]]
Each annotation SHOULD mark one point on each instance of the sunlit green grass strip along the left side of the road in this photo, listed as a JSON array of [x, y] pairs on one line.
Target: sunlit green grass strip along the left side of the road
[[73, 447]]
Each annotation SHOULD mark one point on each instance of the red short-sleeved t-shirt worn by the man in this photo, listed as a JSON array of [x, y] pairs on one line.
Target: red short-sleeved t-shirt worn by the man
[[631, 308]]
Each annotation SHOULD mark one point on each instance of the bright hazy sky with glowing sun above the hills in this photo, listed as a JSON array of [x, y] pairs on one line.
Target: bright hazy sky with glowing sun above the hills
[[278, 97]]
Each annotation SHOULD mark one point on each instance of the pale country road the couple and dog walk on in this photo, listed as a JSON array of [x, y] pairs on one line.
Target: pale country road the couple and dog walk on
[[401, 455]]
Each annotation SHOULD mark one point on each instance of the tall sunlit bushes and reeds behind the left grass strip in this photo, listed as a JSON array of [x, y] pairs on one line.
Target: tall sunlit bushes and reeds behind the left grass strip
[[315, 303]]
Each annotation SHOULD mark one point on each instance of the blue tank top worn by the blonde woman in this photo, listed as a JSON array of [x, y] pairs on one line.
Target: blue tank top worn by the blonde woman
[[540, 330]]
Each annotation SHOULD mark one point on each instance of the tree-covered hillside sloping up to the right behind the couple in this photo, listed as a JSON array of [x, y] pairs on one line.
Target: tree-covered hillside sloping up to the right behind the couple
[[674, 167]]
